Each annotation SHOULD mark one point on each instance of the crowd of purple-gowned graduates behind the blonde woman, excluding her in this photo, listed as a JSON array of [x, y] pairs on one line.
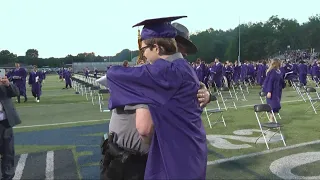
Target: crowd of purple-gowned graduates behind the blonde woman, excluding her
[[216, 72]]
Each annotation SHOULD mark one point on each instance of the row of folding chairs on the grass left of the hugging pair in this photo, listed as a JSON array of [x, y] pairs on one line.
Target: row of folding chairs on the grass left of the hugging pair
[[88, 87]]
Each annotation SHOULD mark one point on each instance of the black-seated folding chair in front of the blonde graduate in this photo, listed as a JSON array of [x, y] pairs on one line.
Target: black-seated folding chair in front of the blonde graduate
[[266, 127]]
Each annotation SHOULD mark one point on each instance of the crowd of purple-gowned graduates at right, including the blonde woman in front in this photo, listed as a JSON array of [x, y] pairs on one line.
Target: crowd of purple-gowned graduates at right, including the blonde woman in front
[[270, 75]]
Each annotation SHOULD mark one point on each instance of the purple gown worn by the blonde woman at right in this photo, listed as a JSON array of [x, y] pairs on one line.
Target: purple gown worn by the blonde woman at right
[[274, 83]]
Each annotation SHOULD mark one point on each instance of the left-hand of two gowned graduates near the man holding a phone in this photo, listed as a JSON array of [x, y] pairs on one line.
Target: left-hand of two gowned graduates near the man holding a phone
[[19, 78]]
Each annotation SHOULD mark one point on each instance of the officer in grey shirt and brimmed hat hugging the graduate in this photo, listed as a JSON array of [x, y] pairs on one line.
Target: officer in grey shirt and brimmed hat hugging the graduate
[[124, 152]]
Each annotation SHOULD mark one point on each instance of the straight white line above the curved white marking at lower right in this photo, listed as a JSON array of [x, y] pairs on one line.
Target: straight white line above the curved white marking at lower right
[[219, 161]]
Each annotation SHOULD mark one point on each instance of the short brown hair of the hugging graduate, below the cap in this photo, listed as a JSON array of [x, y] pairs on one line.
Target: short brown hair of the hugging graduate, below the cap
[[167, 46]]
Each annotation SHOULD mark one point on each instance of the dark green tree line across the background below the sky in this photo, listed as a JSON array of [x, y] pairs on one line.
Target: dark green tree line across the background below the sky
[[257, 40]]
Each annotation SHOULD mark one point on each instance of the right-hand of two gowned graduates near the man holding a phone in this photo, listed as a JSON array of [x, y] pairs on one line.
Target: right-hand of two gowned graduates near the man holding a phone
[[35, 80]]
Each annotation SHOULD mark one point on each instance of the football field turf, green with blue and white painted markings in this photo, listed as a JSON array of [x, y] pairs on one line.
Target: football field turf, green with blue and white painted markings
[[66, 123]]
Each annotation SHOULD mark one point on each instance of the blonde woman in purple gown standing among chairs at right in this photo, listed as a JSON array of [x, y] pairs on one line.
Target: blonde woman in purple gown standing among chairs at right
[[273, 86]]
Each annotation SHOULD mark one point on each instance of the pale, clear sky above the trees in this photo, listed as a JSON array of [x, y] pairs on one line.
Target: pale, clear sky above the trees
[[57, 28]]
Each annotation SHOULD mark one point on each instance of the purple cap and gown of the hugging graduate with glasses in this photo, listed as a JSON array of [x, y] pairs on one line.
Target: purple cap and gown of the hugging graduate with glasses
[[168, 88]]
